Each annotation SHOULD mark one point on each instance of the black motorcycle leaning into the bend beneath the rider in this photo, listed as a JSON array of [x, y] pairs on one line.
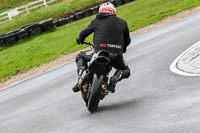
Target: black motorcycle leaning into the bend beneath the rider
[[95, 85]]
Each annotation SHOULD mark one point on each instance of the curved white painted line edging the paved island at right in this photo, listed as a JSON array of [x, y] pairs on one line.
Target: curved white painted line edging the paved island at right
[[173, 66]]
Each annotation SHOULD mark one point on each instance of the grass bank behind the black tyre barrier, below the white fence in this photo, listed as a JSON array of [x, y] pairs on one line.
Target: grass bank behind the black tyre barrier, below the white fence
[[54, 11]]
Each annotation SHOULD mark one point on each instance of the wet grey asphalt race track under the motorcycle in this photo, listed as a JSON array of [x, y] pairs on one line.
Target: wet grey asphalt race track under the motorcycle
[[152, 100]]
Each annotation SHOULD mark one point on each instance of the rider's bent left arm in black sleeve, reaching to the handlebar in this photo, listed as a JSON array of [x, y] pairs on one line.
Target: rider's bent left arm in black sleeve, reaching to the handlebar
[[87, 31]]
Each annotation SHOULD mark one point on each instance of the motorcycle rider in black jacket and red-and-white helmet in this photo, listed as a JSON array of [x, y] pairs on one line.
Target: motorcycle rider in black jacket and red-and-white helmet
[[111, 34]]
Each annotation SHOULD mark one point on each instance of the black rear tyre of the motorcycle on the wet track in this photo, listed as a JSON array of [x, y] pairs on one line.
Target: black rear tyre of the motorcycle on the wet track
[[94, 97]]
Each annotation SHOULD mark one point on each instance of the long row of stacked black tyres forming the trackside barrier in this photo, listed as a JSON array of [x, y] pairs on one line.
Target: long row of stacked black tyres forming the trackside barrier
[[46, 25]]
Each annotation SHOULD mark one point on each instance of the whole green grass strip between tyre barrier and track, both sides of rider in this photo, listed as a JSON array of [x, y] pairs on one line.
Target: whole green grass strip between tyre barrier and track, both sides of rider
[[49, 46]]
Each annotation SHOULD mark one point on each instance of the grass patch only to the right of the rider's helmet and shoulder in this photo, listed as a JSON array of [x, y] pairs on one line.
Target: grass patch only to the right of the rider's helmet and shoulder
[[144, 12]]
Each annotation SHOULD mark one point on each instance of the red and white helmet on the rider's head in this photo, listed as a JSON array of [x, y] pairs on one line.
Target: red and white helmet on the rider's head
[[107, 7]]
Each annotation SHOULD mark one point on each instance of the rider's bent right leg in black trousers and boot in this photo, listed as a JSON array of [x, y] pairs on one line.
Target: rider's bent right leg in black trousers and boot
[[122, 72]]
